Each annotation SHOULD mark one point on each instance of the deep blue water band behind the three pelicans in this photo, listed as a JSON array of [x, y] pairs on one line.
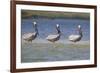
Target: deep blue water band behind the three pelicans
[[47, 26]]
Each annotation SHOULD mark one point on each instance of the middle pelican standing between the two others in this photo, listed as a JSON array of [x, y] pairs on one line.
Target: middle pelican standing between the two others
[[54, 37]]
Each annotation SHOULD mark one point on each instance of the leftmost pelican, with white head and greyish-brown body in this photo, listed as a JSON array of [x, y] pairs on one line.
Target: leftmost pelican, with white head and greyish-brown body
[[32, 35]]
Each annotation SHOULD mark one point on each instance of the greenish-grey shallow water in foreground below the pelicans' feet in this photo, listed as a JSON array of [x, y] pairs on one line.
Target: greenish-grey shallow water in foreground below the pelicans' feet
[[44, 52]]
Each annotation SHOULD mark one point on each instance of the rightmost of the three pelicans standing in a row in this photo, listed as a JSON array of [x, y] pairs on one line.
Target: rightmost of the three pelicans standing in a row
[[76, 38]]
